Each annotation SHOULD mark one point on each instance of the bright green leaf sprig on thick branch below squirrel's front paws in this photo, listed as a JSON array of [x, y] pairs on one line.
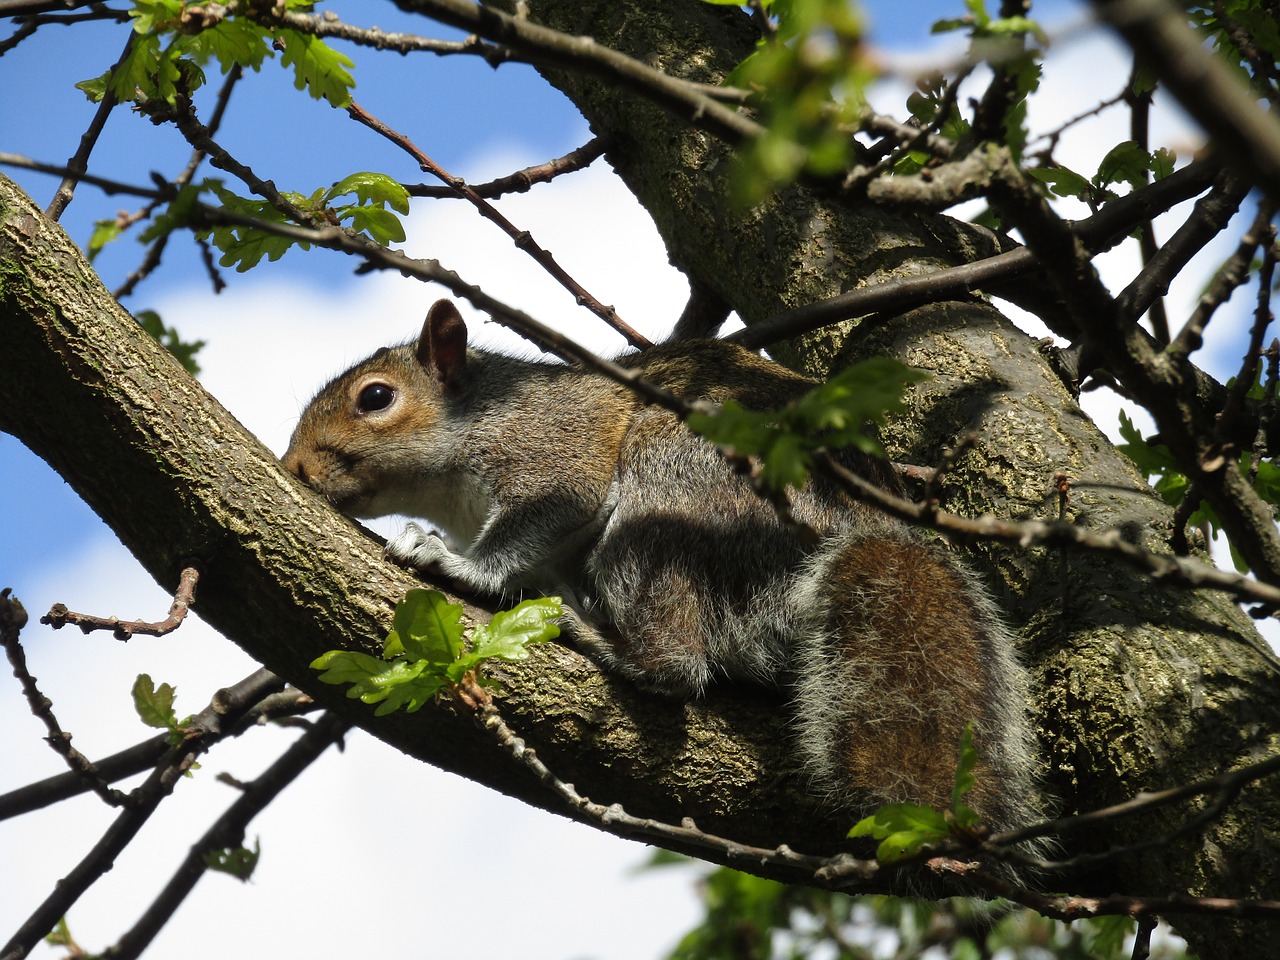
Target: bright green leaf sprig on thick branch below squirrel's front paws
[[428, 651]]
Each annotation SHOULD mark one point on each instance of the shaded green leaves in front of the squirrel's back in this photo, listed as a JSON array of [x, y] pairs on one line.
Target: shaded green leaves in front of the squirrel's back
[[834, 415]]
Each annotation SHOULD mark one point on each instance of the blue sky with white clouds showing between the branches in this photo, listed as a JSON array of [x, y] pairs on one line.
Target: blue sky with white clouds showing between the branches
[[441, 857]]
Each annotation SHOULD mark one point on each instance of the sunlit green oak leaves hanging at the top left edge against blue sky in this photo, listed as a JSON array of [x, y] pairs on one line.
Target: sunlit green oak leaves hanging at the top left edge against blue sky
[[173, 44]]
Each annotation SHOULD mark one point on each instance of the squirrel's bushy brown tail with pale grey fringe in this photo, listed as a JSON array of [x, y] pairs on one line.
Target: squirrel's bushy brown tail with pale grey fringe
[[899, 650]]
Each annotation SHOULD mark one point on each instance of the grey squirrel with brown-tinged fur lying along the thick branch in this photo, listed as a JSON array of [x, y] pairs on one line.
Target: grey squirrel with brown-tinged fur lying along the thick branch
[[552, 479]]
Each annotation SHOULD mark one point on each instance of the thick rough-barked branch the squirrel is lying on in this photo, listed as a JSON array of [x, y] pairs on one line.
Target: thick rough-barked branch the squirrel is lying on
[[299, 580]]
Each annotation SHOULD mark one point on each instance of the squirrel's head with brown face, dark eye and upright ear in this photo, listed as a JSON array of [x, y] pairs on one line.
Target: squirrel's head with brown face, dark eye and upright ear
[[367, 437]]
